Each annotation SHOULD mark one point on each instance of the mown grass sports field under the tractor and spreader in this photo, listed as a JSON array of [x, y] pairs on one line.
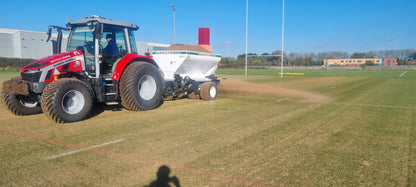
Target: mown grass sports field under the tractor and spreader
[[325, 128]]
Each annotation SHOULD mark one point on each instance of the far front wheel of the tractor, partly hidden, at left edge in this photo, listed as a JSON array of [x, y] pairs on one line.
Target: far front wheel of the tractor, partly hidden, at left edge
[[21, 105]]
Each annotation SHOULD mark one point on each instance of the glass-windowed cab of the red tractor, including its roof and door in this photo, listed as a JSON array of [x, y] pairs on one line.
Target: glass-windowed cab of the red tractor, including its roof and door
[[102, 41]]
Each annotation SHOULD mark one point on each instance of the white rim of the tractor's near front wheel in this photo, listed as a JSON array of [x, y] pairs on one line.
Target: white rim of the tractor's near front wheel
[[73, 102]]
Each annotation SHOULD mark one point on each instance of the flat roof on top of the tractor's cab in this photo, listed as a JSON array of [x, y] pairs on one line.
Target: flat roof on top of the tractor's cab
[[99, 19]]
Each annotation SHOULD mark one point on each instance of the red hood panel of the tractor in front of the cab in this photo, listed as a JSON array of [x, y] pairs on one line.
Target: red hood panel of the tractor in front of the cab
[[54, 60]]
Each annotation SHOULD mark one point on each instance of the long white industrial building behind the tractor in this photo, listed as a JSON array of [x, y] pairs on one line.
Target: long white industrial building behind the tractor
[[32, 45]]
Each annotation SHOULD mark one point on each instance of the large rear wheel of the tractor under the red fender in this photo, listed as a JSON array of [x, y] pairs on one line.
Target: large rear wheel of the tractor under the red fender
[[141, 87]]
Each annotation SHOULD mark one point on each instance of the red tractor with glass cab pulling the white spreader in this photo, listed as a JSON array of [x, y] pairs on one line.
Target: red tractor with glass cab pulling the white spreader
[[65, 85]]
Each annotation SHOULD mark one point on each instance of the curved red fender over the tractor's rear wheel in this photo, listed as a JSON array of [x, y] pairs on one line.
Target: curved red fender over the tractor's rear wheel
[[132, 57]]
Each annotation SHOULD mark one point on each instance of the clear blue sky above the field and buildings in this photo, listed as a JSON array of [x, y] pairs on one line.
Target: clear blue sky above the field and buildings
[[310, 25]]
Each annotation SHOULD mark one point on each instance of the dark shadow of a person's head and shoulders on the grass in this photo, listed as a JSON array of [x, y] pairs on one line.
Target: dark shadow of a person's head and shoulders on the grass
[[163, 179]]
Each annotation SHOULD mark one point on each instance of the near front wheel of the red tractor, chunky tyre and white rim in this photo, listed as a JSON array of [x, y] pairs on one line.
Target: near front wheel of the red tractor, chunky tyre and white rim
[[67, 100]]
